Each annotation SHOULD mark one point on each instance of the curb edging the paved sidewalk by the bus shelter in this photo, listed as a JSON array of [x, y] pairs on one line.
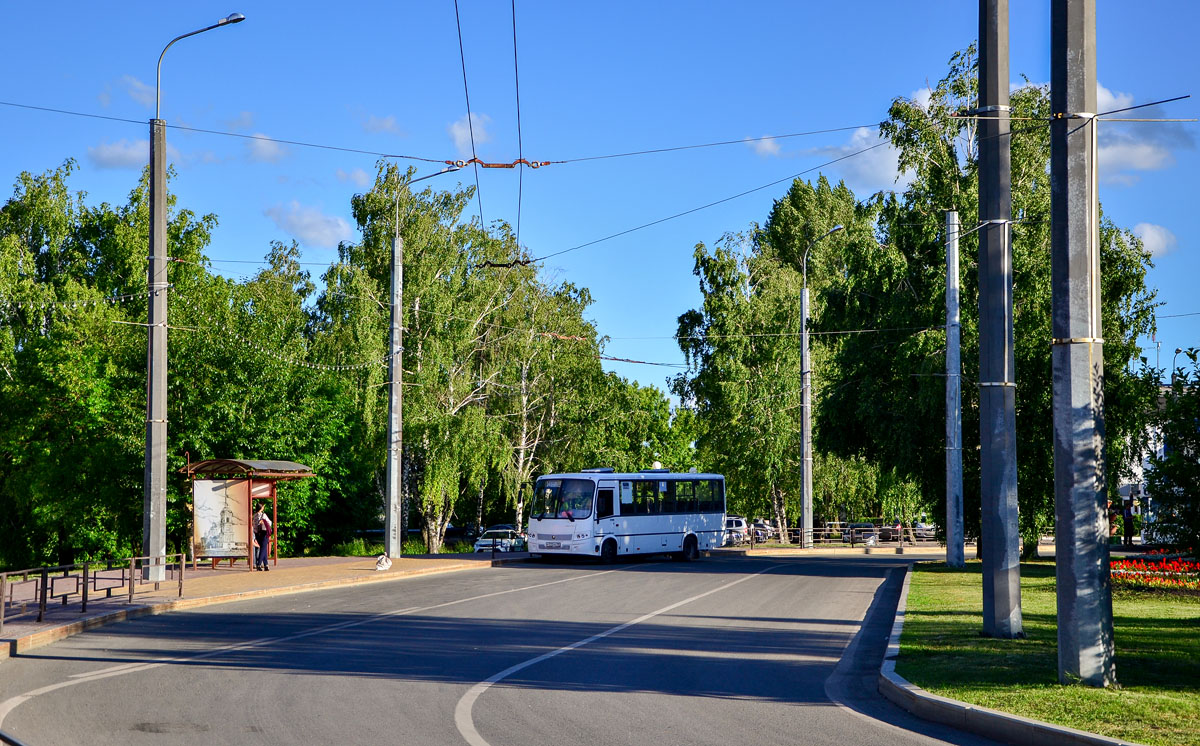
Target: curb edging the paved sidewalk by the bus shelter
[[53, 635]]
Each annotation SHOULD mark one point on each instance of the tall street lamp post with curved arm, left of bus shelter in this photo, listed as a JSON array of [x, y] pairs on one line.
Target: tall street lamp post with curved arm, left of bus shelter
[[154, 512]]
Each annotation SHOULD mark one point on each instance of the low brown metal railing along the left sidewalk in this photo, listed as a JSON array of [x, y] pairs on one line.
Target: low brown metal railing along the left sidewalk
[[26, 592]]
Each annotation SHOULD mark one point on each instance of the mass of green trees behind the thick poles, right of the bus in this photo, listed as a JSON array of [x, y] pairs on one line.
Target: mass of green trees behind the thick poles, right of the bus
[[878, 327]]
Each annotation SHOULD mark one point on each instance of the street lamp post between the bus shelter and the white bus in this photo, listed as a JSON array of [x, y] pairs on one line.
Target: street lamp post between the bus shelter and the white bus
[[394, 508]]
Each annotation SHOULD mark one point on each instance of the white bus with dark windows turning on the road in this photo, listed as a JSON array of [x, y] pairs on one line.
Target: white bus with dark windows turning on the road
[[598, 513]]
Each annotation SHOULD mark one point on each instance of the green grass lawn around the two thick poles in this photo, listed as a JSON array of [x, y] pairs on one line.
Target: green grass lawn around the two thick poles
[[1157, 657]]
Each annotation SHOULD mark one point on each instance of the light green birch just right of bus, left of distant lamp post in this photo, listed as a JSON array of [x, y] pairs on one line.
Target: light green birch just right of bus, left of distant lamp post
[[745, 377]]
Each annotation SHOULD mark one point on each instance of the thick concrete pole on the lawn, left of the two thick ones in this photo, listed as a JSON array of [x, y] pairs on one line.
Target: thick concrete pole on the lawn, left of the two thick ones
[[998, 387]]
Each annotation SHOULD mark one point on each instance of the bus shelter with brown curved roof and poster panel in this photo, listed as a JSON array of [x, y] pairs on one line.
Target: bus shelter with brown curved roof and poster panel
[[225, 492]]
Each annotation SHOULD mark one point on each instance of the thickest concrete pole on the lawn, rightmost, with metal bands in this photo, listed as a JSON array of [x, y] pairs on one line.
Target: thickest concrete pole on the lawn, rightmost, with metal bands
[[1082, 537]]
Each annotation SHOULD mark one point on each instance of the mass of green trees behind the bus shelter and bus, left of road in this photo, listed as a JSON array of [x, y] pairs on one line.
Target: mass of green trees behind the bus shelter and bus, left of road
[[502, 372]]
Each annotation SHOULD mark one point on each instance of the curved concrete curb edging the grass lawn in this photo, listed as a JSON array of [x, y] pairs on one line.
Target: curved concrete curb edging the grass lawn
[[973, 719]]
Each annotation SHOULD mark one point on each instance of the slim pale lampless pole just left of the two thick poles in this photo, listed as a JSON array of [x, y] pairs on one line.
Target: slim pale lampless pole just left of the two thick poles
[[955, 552]]
